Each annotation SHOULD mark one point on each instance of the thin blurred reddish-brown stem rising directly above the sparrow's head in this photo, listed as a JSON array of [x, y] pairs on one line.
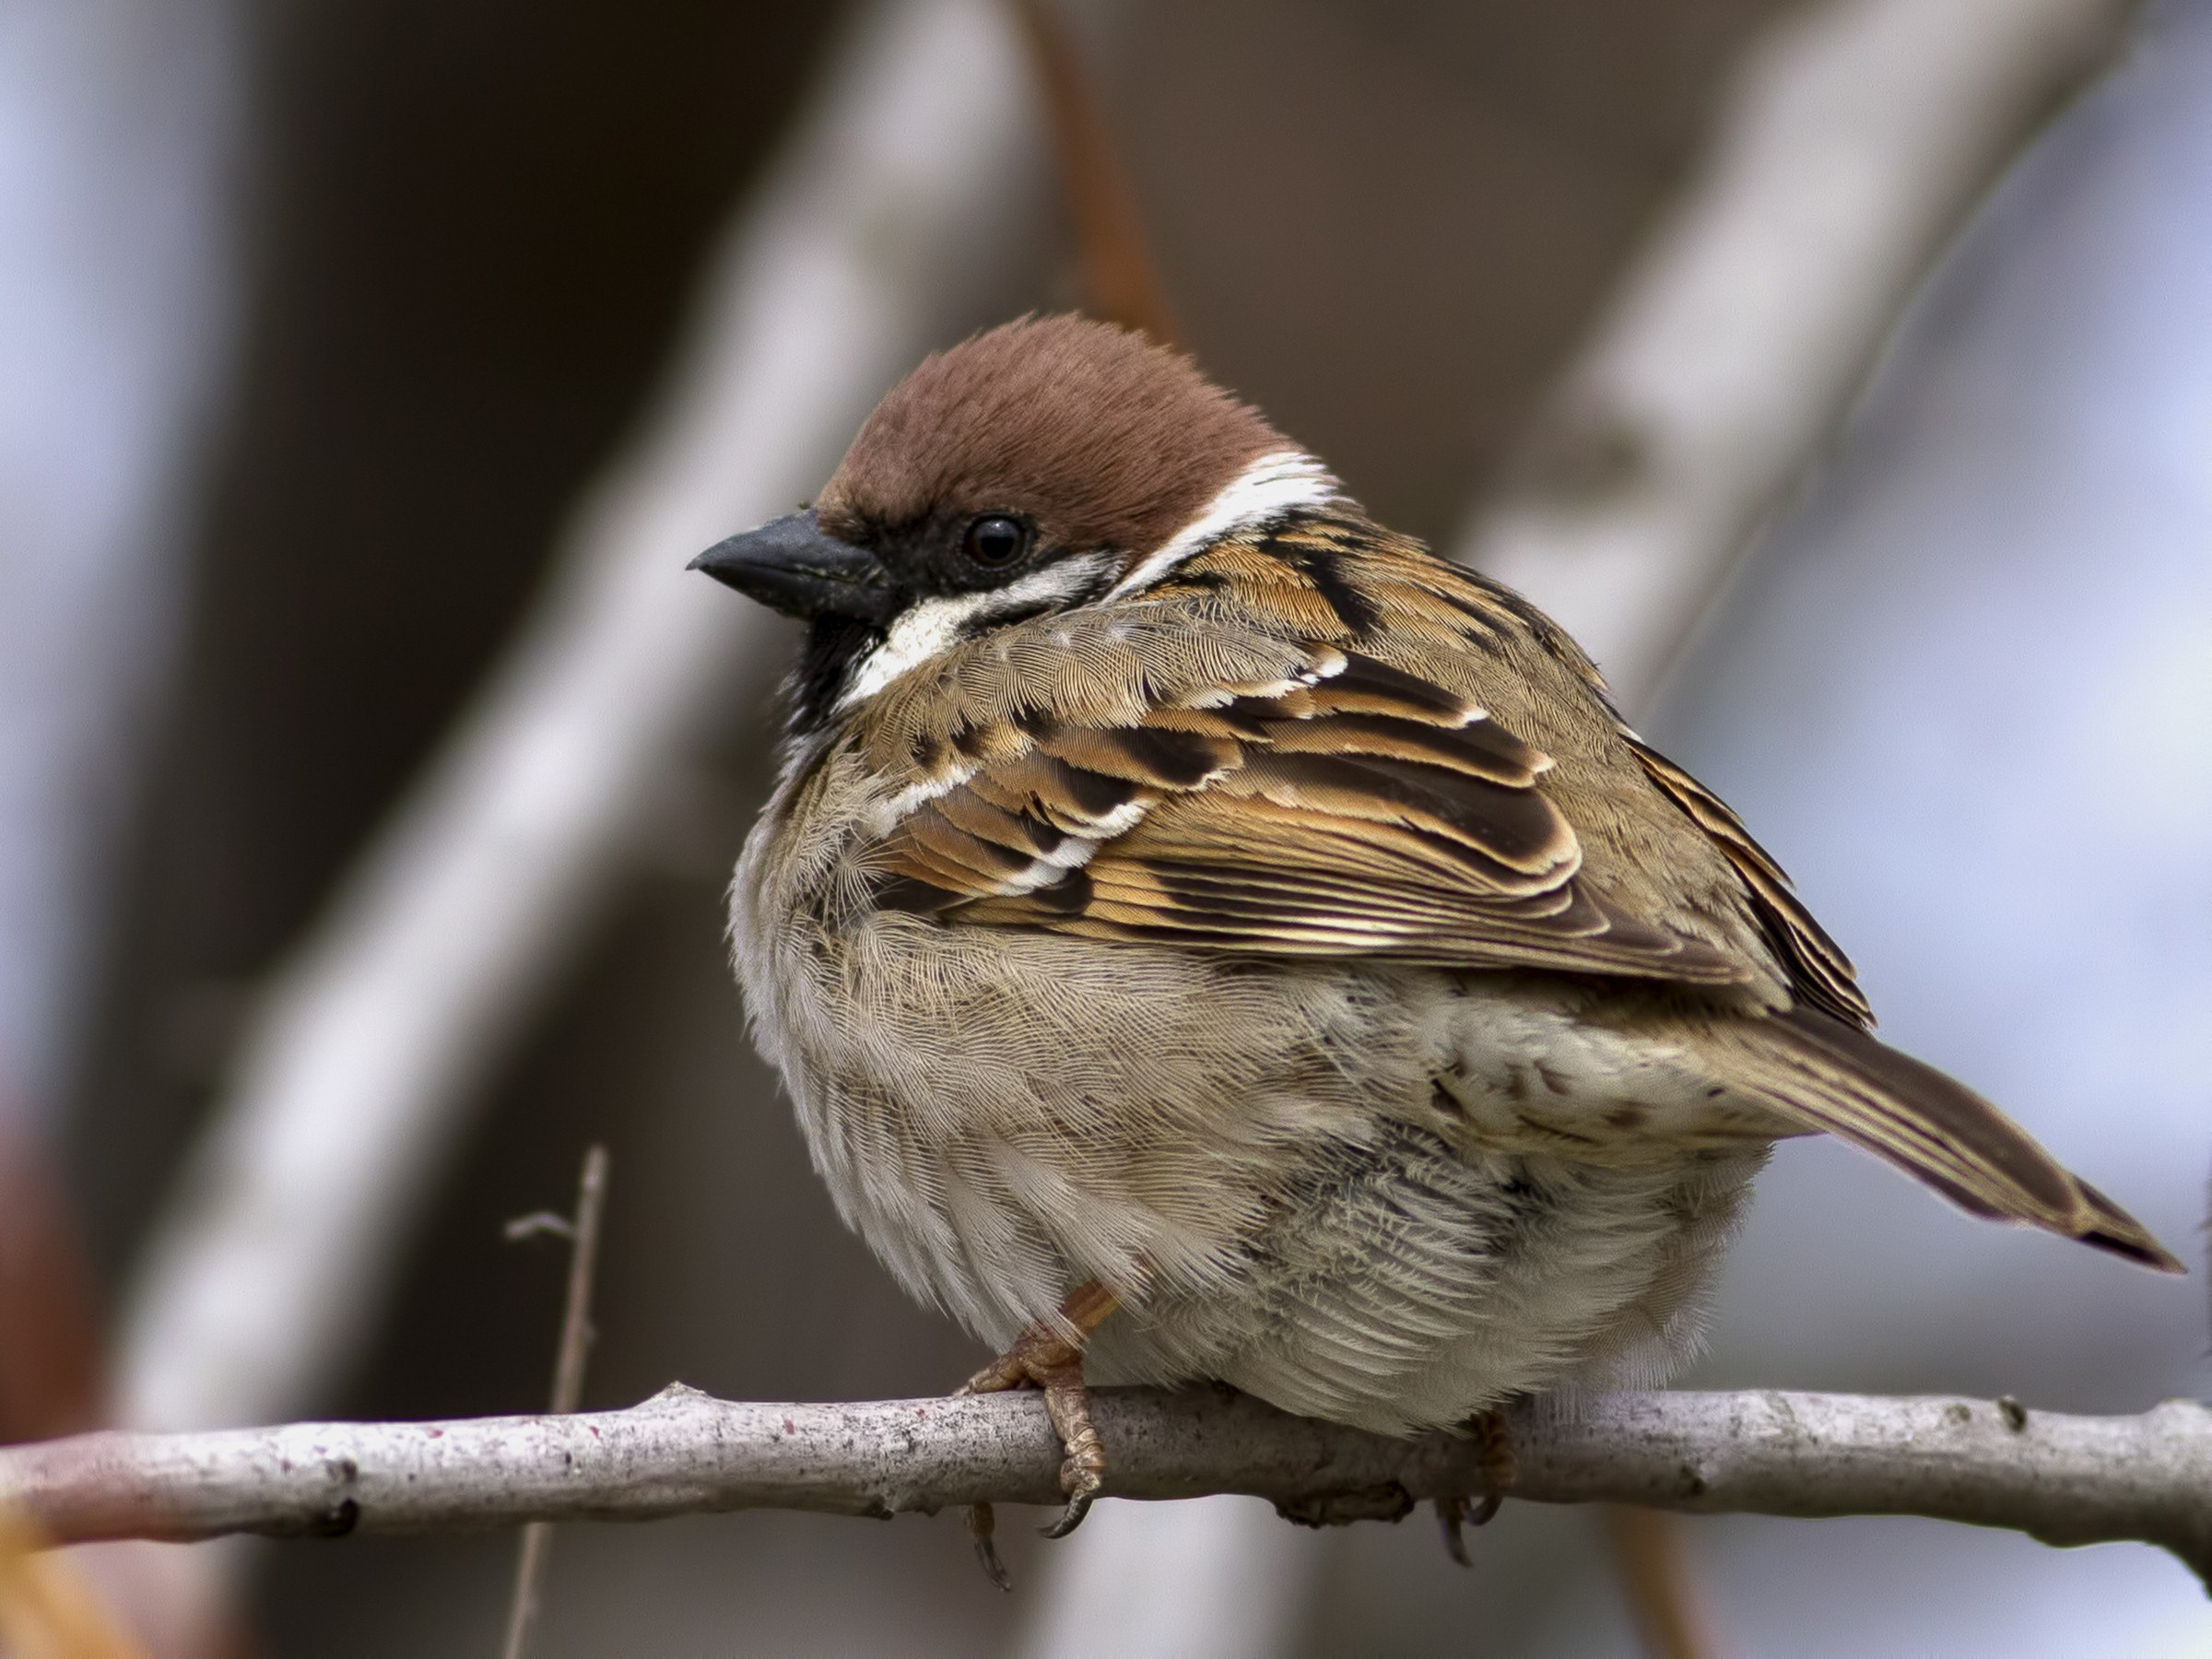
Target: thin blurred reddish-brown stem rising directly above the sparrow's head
[[1118, 264]]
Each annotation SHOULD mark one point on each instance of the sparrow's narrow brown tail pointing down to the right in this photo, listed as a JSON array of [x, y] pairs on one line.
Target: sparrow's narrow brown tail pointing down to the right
[[1828, 1076]]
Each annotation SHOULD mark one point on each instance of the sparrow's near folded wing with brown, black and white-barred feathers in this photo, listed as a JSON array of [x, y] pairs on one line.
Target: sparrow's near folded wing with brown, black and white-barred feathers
[[1286, 800]]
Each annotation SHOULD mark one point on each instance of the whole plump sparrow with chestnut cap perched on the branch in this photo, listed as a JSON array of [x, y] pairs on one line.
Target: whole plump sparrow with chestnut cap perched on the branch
[[1209, 937]]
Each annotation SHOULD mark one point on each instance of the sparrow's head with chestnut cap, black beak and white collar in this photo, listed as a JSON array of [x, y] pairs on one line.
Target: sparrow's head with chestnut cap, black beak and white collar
[[1039, 468]]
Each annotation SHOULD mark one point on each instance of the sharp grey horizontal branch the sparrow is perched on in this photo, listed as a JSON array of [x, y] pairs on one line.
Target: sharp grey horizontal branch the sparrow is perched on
[[2060, 1479]]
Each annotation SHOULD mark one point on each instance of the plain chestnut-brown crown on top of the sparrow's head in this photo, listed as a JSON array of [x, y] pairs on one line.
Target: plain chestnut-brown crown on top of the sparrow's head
[[1096, 435]]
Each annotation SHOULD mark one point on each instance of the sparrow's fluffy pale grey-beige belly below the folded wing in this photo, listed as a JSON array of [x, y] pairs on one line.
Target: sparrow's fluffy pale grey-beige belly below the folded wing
[[1384, 1198]]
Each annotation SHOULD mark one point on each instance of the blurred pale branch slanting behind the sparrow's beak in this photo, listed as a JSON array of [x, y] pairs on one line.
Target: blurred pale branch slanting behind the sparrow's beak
[[873, 238]]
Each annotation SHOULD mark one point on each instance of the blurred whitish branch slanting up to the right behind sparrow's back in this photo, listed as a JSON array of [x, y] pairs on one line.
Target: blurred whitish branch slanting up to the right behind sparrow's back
[[1855, 145]]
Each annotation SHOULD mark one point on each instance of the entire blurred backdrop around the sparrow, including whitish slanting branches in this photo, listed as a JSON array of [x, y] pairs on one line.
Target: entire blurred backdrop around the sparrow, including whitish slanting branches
[[377, 366]]
